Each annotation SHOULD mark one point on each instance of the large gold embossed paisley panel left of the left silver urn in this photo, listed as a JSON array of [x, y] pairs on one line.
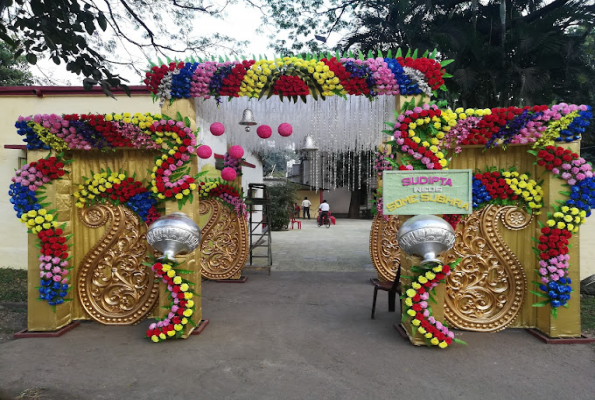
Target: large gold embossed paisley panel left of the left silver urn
[[114, 286]]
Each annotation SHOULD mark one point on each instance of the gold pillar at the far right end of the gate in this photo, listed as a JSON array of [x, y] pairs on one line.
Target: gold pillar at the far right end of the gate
[[568, 321]]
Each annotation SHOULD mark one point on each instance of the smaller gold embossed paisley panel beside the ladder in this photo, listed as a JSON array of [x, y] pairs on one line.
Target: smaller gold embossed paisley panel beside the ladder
[[224, 243]]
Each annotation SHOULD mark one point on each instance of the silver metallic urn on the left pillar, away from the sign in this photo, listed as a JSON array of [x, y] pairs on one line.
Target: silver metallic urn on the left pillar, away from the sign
[[174, 234]]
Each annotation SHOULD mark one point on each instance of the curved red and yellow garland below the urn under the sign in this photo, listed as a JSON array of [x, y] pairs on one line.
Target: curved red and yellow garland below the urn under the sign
[[417, 307]]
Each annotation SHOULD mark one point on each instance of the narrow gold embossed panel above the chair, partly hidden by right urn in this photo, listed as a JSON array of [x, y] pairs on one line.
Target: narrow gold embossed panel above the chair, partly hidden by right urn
[[384, 246]]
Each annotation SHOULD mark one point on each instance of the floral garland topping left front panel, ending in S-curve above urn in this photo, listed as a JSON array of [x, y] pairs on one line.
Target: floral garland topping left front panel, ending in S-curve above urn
[[173, 138]]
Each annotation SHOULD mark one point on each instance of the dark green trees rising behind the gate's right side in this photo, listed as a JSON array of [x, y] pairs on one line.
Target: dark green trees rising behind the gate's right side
[[541, 53]]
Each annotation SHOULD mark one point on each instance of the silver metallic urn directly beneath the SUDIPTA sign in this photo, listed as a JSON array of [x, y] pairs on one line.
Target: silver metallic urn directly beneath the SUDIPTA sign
[[426, 236]]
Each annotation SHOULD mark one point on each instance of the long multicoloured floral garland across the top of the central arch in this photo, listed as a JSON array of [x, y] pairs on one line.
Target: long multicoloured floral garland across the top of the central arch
[[296, 77]]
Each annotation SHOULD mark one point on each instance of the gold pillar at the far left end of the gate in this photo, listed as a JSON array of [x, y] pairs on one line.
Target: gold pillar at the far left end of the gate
[[40, 315]]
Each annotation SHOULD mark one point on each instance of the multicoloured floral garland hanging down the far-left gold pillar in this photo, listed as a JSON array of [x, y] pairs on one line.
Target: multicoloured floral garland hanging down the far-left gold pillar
[[28, 183]]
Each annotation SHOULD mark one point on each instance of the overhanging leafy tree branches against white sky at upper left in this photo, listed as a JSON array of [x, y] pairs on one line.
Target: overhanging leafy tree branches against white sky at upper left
[[86, 35]]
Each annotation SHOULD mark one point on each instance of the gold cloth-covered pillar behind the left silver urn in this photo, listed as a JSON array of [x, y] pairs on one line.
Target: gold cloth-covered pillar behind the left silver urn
[[192, 260]]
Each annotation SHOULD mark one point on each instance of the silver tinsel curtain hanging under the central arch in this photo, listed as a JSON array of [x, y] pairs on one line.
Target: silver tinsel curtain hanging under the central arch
[[338, 126]]
